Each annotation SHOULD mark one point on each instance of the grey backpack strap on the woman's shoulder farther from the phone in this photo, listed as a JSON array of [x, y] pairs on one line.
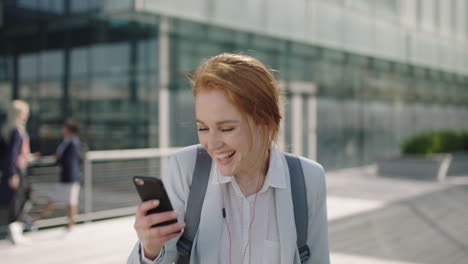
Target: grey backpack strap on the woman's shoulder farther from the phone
[[299, 197]]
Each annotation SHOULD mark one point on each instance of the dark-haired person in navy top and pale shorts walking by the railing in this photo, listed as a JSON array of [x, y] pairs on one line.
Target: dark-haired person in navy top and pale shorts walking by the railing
[[66, 191]]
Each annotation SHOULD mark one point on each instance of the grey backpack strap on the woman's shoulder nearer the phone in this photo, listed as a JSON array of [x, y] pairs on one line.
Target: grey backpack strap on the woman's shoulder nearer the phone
[[201, 174]]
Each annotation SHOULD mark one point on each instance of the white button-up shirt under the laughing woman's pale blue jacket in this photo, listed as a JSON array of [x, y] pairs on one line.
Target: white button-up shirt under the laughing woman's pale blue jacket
[[264, 245]]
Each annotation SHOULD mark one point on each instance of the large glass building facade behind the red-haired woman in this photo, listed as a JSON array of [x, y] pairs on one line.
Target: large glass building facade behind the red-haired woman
[[355, 85]]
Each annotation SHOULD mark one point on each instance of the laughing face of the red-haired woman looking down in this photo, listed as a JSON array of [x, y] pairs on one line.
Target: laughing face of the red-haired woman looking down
[[224, 133]]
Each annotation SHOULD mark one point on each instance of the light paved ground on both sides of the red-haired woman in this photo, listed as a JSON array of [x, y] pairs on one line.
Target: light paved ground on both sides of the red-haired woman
[[372, 220]]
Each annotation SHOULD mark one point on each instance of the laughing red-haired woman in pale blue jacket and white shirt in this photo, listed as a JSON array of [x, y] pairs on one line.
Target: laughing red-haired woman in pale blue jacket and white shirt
[[238, 115]]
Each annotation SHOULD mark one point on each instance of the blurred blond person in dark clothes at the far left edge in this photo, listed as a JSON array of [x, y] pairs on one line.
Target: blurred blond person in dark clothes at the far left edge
[[14, 187]]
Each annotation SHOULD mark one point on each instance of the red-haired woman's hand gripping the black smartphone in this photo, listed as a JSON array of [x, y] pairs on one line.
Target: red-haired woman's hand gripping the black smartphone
[[153, 238]]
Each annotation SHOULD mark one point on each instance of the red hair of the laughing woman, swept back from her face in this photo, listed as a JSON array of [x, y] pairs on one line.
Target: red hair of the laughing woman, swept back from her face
[[249, 86]]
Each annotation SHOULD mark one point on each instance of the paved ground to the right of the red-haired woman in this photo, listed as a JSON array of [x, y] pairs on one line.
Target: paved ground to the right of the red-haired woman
[[396, 221]]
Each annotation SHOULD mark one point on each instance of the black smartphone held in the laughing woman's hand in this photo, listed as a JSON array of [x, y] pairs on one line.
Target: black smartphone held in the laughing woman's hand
[[150, 188]]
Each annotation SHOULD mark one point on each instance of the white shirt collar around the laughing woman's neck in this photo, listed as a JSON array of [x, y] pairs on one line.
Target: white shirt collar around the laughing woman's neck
[[275, 178]]
